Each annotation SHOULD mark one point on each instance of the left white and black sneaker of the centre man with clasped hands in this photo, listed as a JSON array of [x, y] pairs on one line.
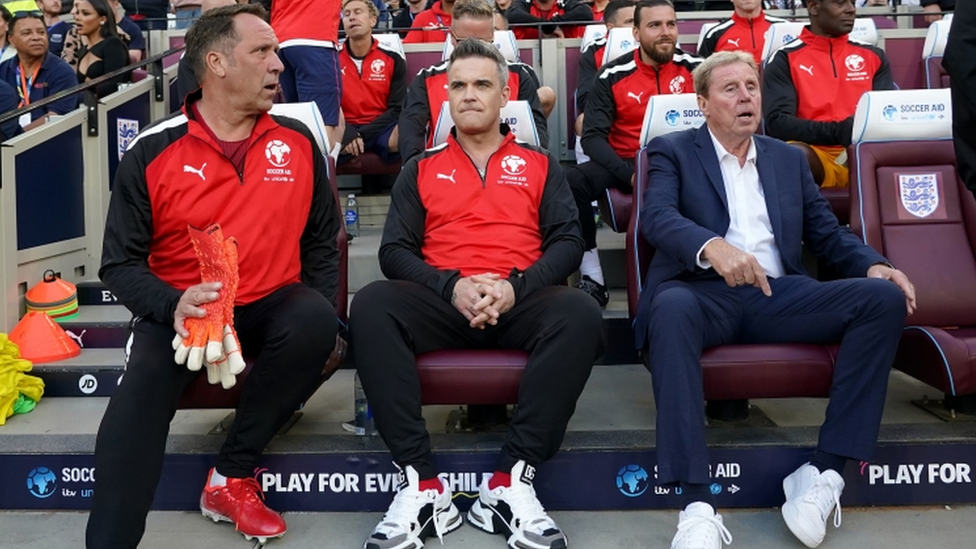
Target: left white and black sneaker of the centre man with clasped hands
[[414, 515]]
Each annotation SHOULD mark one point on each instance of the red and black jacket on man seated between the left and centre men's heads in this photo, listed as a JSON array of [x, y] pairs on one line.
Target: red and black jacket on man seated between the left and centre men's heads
[[372, 97]]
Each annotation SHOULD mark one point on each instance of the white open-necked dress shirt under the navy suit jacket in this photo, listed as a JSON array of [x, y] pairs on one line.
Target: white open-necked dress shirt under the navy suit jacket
[[749, 226]]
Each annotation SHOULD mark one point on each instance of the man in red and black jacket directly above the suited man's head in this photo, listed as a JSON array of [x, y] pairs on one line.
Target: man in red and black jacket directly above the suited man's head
[[745, 31]]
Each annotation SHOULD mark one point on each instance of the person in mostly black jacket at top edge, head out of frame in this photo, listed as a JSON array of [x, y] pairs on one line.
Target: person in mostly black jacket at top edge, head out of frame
[[552, 12]]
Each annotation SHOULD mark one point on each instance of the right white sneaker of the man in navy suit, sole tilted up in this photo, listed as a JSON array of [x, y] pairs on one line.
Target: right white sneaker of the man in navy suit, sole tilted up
[[810, 497]]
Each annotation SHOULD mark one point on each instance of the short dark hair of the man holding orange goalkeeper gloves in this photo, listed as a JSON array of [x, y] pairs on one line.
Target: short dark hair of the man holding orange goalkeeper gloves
[[215, 30]]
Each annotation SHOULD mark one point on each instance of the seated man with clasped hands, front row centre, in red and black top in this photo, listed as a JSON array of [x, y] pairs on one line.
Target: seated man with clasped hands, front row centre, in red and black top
[[481, 233]]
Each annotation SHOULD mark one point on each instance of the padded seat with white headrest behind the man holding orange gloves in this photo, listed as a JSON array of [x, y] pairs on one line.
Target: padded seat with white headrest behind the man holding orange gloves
[[200, 393]]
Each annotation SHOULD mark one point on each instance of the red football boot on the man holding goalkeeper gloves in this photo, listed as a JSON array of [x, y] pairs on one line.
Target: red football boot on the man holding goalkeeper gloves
[[241, 502]]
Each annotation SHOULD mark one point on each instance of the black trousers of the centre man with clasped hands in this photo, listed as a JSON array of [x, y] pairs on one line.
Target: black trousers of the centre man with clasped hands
[[393, 321]]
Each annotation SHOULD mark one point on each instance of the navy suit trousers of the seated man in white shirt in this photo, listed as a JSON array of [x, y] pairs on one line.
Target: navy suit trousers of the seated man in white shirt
[[865, 314]]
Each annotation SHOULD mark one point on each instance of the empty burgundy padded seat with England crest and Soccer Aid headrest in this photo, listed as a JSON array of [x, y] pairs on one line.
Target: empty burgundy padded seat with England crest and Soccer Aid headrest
[[912, 207]]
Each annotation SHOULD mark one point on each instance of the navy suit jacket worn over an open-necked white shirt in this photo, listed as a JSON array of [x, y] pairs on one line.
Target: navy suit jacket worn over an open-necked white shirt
[[685, 205]]
